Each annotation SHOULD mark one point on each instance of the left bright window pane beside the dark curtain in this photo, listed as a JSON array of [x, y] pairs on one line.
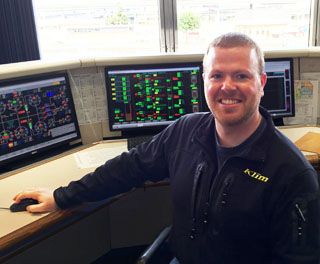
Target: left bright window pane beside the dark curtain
[[82, 28]]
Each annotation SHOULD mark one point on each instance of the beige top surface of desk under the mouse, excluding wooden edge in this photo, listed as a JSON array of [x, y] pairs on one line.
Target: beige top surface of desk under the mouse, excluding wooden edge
[[51, 174]]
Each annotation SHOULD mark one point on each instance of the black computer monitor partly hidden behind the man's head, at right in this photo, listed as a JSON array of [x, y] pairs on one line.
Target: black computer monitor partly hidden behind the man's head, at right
[[278, 96]]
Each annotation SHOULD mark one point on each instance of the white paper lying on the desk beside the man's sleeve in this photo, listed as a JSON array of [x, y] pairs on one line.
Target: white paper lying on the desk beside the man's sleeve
[[95, 158]]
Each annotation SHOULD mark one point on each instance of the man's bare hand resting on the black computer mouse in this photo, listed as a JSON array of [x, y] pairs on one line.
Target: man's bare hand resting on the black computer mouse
[[44, 196]]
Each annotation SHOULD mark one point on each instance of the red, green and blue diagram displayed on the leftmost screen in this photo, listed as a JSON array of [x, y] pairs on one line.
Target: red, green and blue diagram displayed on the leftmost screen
[[33, 113]]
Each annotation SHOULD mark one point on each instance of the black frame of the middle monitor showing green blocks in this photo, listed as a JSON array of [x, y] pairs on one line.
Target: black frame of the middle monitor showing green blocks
[[169, 65]]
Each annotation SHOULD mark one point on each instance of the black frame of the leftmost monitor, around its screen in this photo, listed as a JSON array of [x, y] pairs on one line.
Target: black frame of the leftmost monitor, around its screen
[[42, 152]]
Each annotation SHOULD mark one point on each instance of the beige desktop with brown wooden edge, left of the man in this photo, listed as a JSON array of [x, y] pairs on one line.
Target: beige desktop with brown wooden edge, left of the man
[[15, 227]]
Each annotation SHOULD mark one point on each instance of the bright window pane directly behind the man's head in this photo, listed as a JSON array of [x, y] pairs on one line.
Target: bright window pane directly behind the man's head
[[273, 24]]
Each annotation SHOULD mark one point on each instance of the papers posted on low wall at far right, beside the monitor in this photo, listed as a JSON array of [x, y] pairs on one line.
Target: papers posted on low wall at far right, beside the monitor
[[306, 103]]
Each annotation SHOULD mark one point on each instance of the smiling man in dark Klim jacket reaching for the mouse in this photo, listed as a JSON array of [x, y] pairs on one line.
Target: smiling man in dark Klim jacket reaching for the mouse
[[242, 192]]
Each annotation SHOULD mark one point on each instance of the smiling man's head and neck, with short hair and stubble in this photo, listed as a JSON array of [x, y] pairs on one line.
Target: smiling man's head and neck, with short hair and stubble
[[234, 79]]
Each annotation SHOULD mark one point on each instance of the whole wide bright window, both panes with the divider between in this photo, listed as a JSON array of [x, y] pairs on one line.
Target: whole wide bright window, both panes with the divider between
[[82, 28]]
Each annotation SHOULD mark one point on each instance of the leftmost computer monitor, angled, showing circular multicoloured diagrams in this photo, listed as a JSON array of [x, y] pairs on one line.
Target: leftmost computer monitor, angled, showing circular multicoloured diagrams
[[36, 113]]
